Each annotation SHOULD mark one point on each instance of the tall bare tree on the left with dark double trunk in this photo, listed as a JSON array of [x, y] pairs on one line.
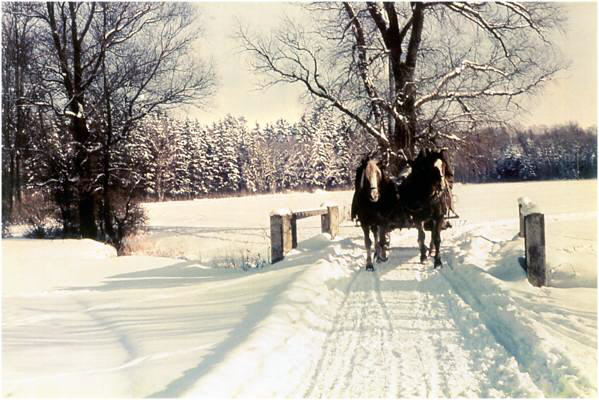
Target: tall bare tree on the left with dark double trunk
[[104, 67]]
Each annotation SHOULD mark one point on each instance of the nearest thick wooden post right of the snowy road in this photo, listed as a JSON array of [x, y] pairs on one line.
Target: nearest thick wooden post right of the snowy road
[[534, 244]]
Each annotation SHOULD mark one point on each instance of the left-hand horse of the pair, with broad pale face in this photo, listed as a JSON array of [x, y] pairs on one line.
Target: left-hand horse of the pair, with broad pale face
[[374, 200]]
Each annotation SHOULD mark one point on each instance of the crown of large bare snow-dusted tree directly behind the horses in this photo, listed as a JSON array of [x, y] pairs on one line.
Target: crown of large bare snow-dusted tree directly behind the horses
[[410, 73]]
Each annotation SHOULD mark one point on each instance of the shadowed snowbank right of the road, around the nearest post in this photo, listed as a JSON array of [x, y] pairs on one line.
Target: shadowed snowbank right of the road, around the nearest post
[[556, 346]]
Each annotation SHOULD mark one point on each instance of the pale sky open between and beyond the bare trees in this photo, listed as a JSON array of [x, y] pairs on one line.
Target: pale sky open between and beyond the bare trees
[[571, 97]]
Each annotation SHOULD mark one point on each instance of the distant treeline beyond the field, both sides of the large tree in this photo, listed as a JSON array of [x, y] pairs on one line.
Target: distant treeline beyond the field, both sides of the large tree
[[178, 159]]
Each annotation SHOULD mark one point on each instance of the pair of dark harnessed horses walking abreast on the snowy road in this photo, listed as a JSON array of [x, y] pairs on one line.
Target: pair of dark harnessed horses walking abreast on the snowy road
[[421, 200]]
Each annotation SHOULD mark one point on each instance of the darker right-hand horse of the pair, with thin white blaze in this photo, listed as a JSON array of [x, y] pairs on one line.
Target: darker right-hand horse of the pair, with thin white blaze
[[425, 196]]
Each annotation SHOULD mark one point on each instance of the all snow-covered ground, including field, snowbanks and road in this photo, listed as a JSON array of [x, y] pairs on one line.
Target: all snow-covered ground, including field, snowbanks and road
[[80, 322]]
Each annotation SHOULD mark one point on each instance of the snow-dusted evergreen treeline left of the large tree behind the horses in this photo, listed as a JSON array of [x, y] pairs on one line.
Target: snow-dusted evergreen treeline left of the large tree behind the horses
[[181, 159]]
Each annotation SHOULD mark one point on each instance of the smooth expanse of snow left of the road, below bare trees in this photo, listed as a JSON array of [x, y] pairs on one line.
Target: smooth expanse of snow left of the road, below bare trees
[[75, 326]]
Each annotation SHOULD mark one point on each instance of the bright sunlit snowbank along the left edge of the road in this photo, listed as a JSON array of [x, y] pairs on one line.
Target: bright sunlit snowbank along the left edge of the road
[[284, 343]]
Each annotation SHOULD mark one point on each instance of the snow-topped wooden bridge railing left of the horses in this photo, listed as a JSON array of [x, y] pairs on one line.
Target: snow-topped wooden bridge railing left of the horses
[[283, 227]]
